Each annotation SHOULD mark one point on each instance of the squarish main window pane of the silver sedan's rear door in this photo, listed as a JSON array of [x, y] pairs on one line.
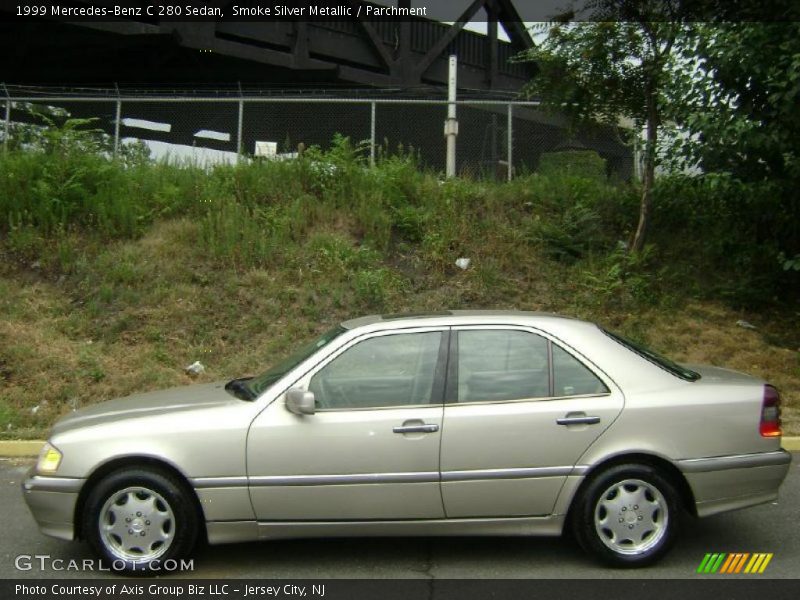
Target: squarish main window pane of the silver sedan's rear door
[[501, 365]]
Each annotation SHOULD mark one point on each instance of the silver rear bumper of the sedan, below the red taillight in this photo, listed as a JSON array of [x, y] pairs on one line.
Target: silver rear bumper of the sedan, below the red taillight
[[724, 483]]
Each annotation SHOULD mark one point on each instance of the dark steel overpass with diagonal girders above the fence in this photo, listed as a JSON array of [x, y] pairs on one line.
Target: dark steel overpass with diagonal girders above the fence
[[141, 50]]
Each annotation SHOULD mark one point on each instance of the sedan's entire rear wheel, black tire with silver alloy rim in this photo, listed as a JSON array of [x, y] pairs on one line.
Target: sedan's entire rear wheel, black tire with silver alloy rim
[[627, 516]]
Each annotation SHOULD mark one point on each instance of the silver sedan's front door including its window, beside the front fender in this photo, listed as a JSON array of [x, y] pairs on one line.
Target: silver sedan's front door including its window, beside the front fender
[[371, 450]]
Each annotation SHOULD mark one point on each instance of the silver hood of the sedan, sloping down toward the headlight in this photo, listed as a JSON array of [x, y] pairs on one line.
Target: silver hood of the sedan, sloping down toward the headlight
[[174, 400]]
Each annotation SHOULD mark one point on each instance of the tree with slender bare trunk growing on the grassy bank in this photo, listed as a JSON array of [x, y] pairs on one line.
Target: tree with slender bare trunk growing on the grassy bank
[[615, 66]]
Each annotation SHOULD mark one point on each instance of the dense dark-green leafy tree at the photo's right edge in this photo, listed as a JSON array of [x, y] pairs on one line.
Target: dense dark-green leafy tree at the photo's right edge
[[738, 104]]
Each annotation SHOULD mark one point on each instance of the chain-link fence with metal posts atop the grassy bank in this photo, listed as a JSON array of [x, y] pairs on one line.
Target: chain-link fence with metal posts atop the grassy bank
[[496, 139]]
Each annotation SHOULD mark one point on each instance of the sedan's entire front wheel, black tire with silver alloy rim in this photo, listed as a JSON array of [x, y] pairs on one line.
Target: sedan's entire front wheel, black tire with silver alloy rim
[[135, 519]]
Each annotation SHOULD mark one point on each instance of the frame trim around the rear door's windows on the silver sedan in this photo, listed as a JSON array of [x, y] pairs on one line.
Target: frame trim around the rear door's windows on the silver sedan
[[451, 398]]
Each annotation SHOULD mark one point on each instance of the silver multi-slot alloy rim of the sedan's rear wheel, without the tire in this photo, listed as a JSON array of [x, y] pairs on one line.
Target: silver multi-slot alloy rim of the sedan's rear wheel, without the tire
[[631, 517]]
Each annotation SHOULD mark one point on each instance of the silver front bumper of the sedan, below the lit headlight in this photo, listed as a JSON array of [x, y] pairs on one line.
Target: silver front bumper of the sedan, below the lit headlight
[[52, 501]]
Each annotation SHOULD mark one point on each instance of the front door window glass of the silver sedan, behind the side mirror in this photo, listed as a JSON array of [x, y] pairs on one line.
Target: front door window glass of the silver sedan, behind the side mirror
[[389, 370]]
